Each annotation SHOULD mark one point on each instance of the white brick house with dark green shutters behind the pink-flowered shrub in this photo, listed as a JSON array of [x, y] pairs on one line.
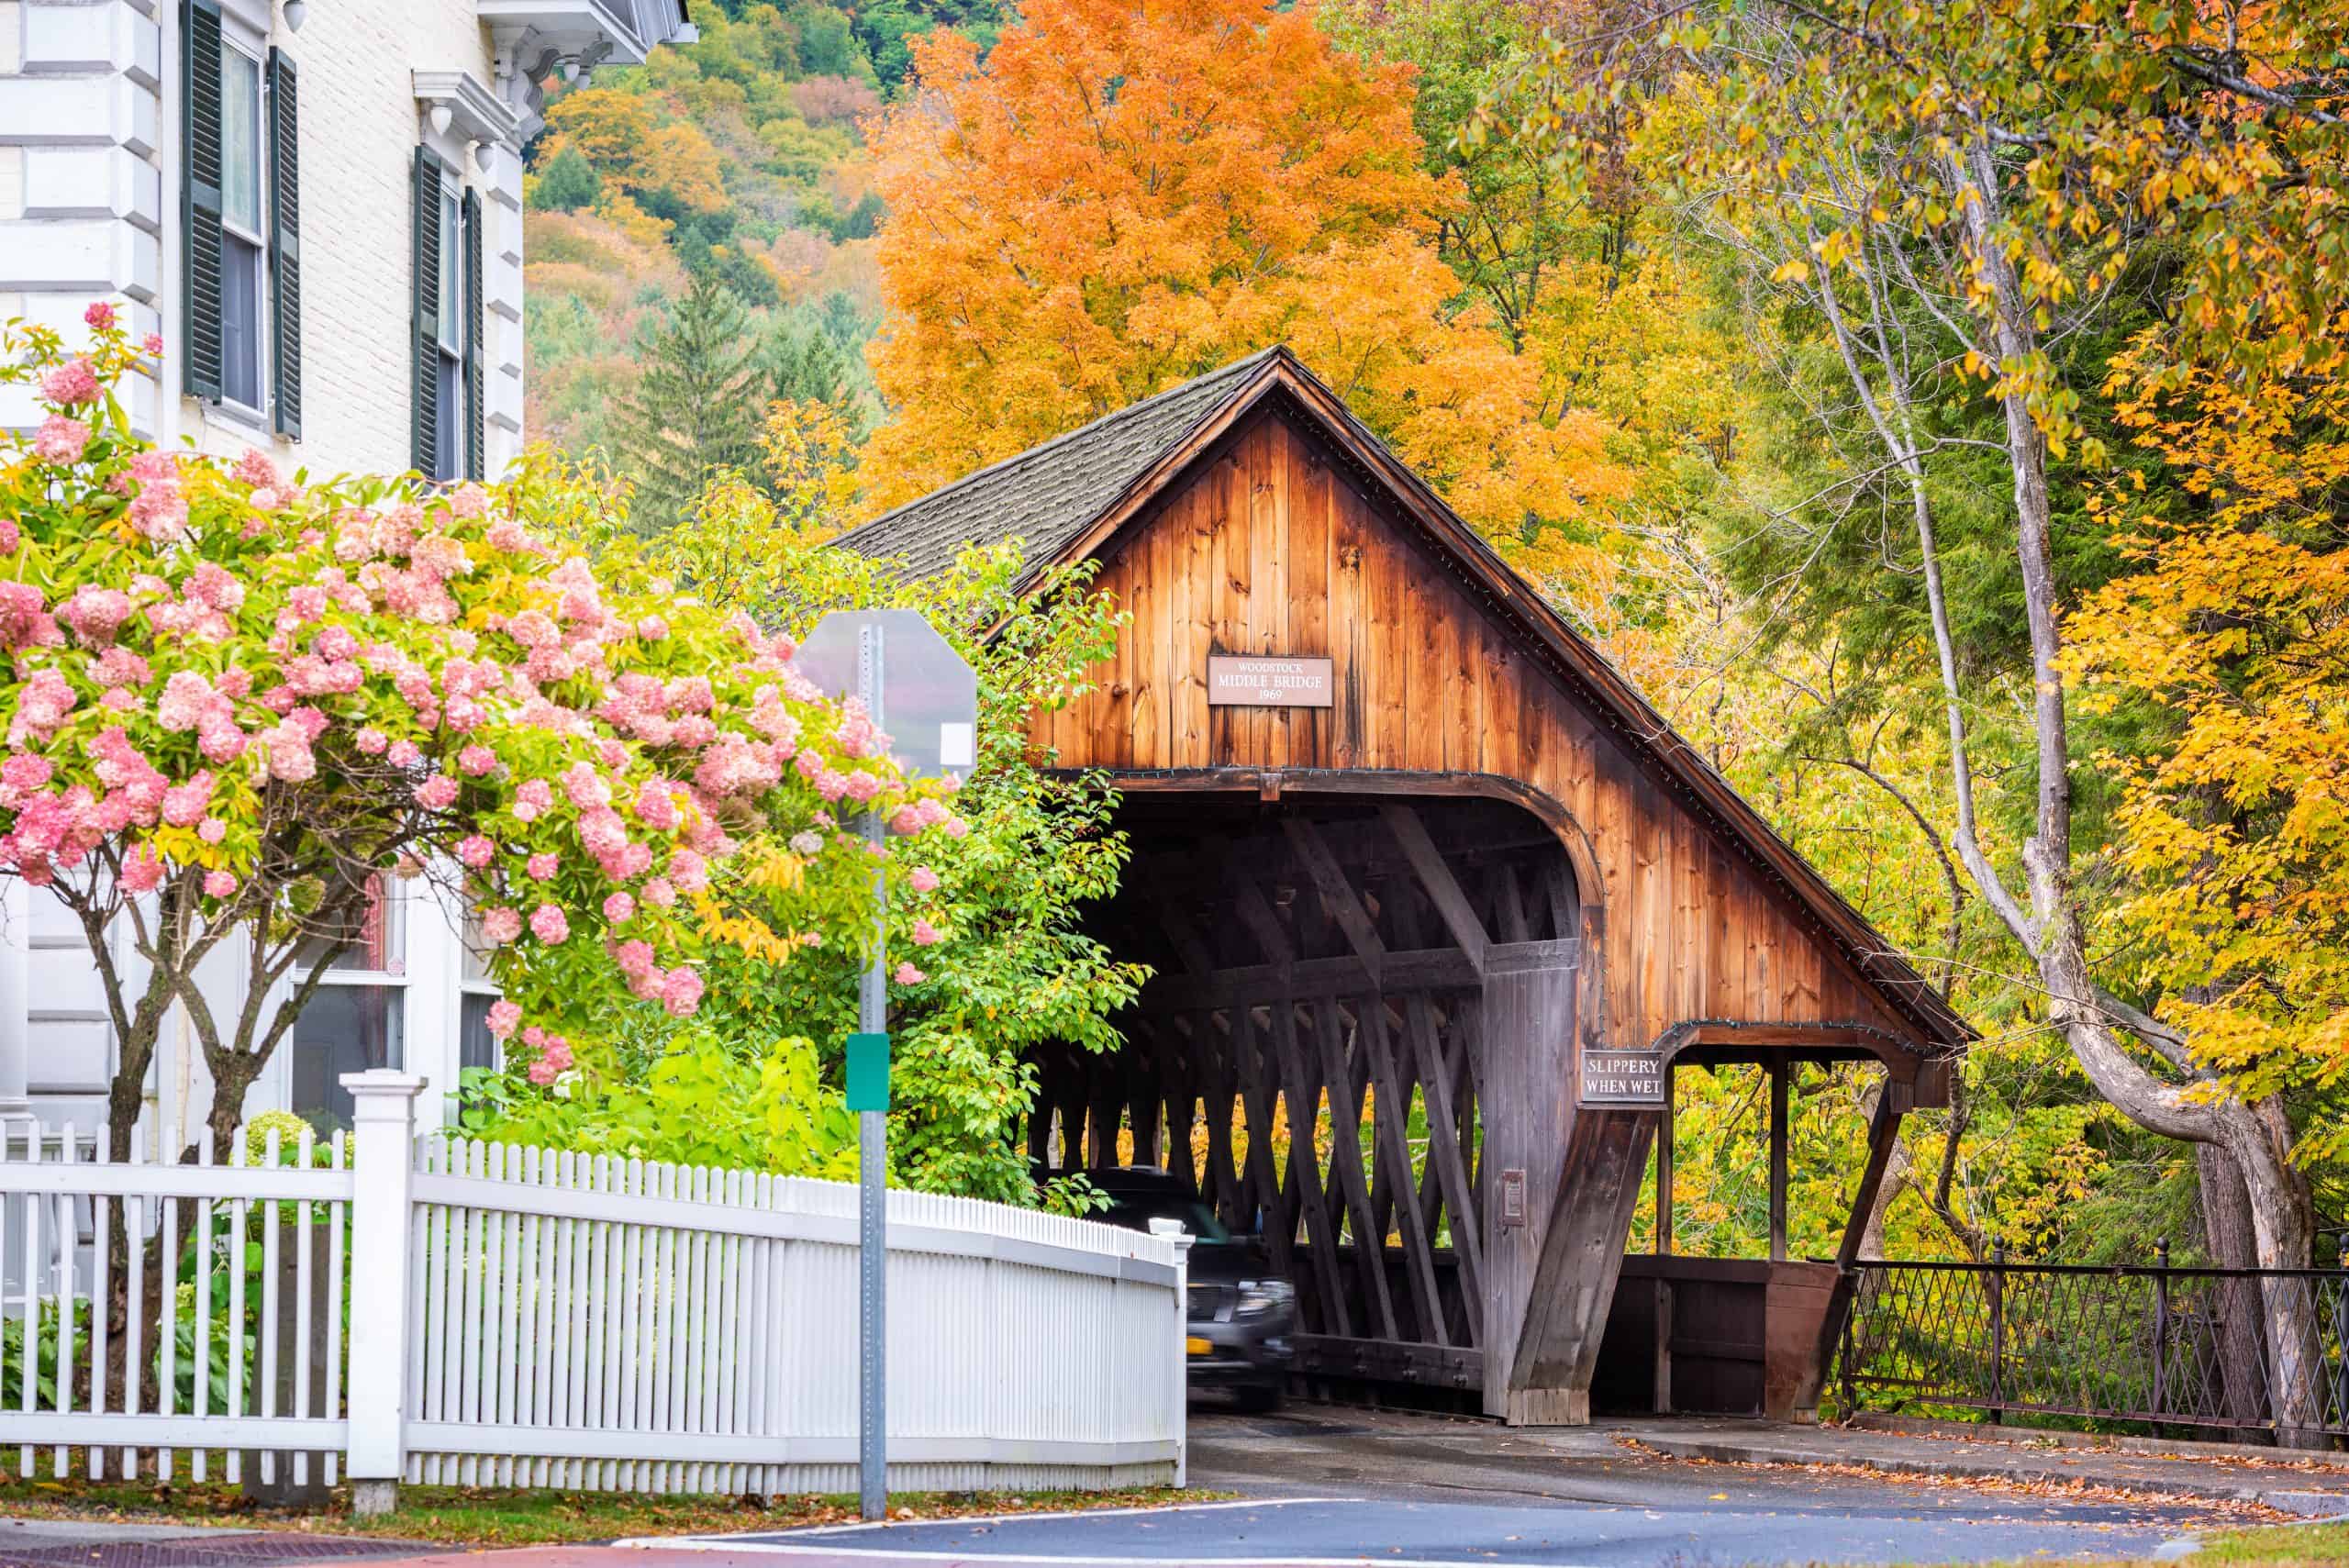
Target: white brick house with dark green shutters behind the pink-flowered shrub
[[318, 208]]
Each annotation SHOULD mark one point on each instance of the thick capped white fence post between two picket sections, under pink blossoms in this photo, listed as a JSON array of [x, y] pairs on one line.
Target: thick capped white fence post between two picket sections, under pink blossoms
[[384, 1175]]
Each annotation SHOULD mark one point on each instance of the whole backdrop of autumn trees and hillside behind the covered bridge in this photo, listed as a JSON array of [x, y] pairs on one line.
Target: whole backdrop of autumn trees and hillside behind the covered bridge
[[1970, 496]]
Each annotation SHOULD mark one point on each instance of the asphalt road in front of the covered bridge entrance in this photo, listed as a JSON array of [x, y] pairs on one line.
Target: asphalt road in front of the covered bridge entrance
[[1342, 1487]]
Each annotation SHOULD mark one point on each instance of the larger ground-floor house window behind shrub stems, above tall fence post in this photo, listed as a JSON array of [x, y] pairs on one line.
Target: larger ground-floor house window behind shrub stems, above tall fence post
[[354, 1020]]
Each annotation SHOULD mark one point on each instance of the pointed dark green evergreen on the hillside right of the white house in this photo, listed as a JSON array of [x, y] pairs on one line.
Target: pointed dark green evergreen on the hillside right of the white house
[[696, 405]]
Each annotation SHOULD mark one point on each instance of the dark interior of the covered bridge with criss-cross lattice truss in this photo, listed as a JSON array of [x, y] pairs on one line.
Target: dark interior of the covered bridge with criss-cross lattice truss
[[1321, 968]]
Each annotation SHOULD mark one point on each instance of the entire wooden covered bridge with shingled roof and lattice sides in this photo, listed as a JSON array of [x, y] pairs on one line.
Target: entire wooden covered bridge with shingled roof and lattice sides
[[1413, 860]]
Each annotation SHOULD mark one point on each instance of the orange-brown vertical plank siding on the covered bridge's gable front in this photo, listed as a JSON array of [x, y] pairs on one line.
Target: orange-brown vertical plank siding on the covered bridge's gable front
[[1274, 546]]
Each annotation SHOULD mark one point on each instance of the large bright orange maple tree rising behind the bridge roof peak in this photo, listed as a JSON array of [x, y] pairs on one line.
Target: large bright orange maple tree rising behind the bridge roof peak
[[1122, 198]]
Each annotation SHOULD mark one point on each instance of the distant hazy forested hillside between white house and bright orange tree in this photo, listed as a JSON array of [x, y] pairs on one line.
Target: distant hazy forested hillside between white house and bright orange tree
[[736, 158]]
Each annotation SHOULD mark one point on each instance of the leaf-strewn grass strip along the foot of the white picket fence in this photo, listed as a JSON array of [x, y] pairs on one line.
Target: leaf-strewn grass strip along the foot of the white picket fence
[[502, 1518]]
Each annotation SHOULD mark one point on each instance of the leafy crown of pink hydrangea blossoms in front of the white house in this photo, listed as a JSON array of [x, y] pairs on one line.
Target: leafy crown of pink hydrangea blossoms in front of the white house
[[372, 637]]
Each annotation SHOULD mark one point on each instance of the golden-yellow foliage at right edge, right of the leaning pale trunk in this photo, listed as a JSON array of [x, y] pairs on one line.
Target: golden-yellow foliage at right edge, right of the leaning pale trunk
[[2235, 628]]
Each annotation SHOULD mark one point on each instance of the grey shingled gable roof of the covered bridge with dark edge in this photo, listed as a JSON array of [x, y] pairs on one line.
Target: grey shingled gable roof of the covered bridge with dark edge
[[1065, 499]]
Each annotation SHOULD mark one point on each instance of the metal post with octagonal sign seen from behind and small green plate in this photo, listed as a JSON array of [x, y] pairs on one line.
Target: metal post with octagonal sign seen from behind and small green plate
[[927, 698]]
